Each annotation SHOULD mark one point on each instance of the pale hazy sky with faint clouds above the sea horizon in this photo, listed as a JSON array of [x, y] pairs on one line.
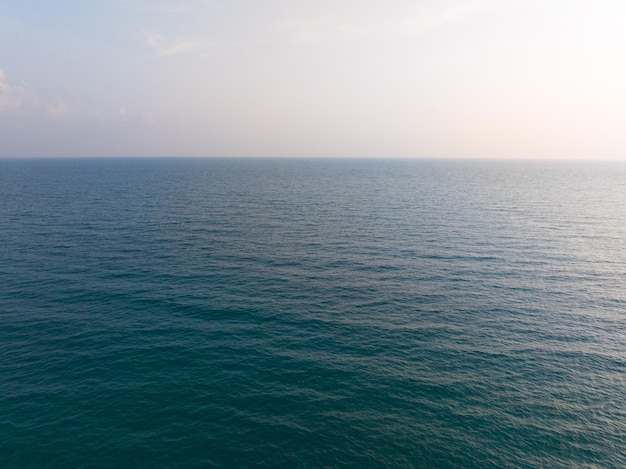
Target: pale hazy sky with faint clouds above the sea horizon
[[328, 78]]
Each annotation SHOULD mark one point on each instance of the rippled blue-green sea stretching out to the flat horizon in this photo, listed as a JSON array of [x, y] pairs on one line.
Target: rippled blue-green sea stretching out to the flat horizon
[[312, 313]]
